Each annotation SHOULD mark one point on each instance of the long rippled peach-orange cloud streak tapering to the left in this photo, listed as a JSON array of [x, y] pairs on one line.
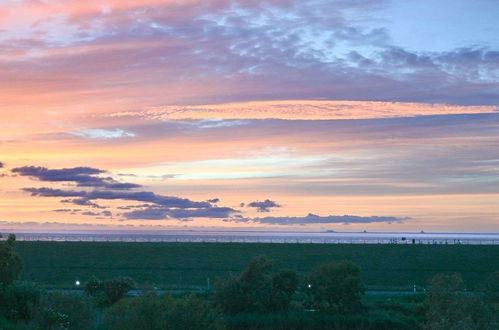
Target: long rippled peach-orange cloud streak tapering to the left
[[303, 110]]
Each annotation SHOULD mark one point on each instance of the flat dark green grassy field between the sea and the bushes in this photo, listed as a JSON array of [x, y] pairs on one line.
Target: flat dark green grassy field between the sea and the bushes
[[172, 265]]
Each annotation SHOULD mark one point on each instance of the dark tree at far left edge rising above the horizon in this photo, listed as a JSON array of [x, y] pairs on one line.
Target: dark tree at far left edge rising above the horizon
[[10, 262]]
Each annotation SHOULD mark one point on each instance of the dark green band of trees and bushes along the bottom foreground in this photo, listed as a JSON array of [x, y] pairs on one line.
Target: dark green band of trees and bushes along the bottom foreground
[[261, 296]]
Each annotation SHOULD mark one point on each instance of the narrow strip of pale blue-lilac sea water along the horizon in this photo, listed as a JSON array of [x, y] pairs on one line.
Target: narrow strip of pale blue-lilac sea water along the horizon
[[264, 237]]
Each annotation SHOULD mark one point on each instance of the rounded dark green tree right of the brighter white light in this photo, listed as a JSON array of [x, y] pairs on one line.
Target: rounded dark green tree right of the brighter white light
[[336, 287]]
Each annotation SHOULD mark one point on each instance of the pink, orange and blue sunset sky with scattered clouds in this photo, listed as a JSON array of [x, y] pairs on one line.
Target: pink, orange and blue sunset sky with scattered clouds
[[308, 115]]
